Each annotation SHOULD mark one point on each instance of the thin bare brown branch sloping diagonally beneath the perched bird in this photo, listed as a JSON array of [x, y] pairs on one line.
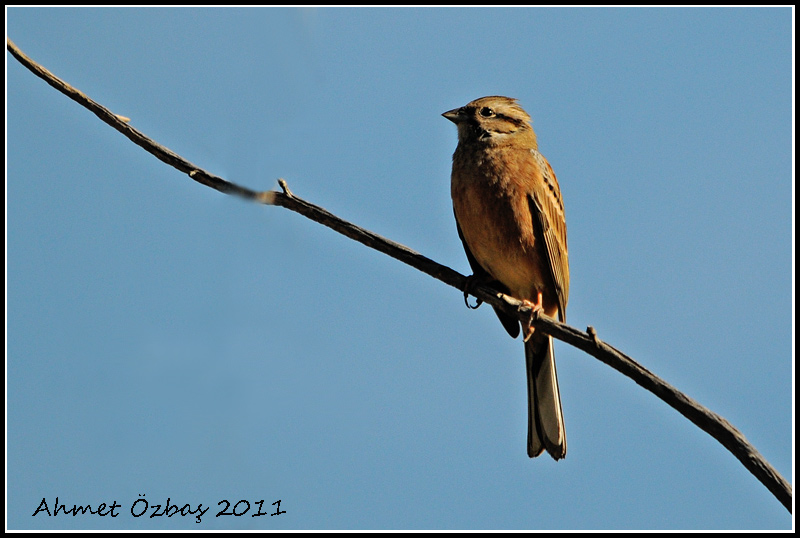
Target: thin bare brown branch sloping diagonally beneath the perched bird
[[713, 424]]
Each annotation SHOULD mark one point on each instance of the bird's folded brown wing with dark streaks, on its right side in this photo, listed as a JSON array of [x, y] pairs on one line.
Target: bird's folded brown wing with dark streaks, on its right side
[[547, 208]]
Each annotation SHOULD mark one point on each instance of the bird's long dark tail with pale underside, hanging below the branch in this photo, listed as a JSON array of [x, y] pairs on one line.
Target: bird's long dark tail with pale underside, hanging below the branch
[[545, 419]]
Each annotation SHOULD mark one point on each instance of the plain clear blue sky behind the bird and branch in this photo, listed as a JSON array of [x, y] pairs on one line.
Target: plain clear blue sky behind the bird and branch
[[167, 341]]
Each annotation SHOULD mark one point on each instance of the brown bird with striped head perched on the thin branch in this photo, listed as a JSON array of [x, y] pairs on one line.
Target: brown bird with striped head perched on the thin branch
[[510, 218]]
